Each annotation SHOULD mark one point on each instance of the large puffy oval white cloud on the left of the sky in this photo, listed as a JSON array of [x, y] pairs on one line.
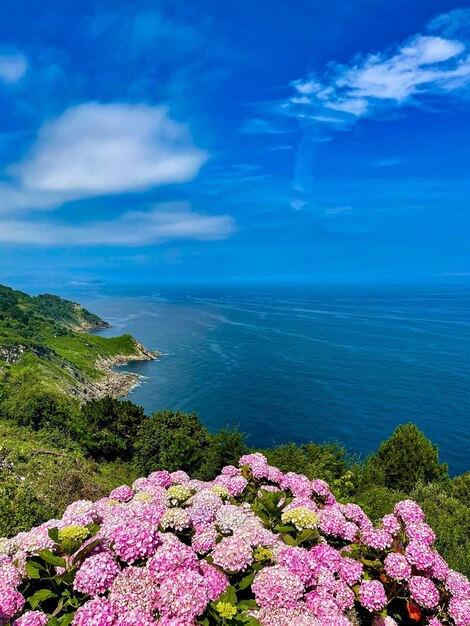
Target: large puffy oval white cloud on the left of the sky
[[97, 149]]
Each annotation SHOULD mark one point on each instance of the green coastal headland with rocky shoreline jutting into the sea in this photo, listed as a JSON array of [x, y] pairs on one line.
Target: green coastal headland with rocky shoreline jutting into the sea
[[47, 335]]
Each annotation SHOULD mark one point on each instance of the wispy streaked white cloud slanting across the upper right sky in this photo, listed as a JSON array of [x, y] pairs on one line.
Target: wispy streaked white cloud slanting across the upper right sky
[[424, 66]]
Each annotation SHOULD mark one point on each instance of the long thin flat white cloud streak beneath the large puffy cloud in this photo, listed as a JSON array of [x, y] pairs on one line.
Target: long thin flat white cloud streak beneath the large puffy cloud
[[133, 229]]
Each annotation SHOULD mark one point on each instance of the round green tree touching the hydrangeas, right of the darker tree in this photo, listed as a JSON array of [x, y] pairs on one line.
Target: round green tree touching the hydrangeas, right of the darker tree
[[172, 440]]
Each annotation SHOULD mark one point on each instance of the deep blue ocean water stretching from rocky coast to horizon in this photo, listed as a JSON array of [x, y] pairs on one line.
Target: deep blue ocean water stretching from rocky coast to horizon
[[343, 364]]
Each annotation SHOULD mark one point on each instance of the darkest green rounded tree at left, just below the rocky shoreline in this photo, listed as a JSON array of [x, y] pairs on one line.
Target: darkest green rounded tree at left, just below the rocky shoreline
[[106, 428]]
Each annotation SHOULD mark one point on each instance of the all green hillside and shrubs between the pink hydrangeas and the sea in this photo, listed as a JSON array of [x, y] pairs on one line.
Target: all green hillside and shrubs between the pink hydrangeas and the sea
[[55, 449]]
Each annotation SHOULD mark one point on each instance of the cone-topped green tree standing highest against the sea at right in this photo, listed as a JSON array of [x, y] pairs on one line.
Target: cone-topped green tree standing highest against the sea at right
[[405, 459]]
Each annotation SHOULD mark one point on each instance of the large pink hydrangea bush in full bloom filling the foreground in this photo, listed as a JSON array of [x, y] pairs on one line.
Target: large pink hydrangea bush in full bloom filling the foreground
[[253, 547]]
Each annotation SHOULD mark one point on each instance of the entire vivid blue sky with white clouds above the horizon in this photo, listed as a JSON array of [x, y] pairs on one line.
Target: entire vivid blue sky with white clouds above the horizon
[[283, 142]]
